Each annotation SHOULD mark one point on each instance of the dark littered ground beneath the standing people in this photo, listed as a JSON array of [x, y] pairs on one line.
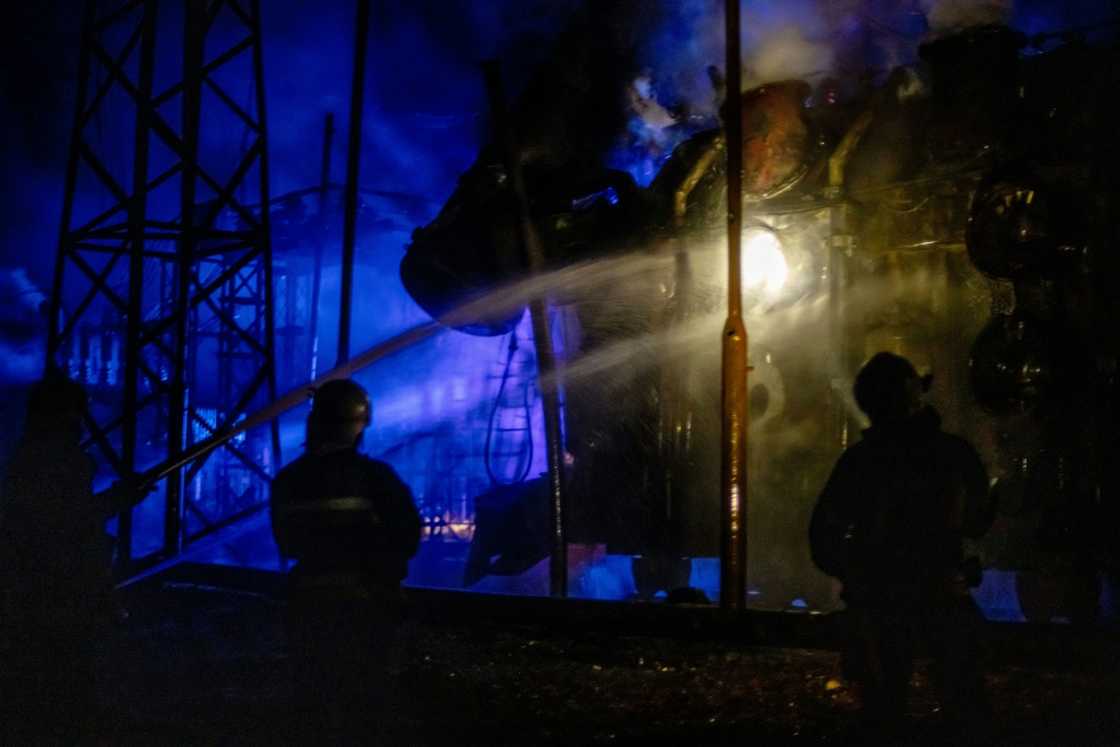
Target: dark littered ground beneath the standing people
[[200, 666]]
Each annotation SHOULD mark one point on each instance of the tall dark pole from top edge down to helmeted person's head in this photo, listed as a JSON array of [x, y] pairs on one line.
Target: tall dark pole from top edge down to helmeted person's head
[[353, 163]]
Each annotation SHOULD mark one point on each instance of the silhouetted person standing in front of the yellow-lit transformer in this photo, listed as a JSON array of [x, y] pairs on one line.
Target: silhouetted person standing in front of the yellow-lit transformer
[[890, 525]]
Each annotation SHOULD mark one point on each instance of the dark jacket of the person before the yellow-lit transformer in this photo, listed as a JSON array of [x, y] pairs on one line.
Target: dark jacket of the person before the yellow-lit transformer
[[894, 513]]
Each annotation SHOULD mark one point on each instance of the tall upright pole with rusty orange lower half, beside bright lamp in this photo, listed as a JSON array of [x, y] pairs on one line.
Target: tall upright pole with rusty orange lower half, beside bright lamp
[[733, 552]]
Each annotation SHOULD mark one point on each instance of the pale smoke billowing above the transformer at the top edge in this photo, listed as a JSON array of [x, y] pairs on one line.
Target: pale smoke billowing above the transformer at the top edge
[[782, 40]]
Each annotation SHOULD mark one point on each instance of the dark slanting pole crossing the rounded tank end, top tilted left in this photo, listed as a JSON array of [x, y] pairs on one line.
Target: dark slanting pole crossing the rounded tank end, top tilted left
[[543, 337]]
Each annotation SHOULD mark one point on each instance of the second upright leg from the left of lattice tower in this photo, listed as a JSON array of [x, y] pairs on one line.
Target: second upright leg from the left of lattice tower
[[138, 210]]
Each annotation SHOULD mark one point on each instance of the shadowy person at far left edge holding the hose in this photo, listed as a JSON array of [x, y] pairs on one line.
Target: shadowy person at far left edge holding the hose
[[57, 587]]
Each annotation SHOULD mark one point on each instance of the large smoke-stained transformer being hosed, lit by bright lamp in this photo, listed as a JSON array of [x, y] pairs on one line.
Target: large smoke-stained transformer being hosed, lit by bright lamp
[[962, 213]]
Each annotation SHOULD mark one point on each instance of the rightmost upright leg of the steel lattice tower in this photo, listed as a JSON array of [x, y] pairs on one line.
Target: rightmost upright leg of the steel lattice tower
[[266, 229]]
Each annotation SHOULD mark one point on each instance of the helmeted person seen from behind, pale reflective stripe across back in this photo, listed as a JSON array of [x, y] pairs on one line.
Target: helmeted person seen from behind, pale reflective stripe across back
[[351, 526]]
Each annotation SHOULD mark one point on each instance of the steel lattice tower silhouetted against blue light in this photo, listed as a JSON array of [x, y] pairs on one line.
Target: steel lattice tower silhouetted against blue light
[[158, 247]]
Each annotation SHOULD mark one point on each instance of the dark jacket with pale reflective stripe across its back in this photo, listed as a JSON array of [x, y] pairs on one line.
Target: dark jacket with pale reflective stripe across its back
[[347, 520]]
